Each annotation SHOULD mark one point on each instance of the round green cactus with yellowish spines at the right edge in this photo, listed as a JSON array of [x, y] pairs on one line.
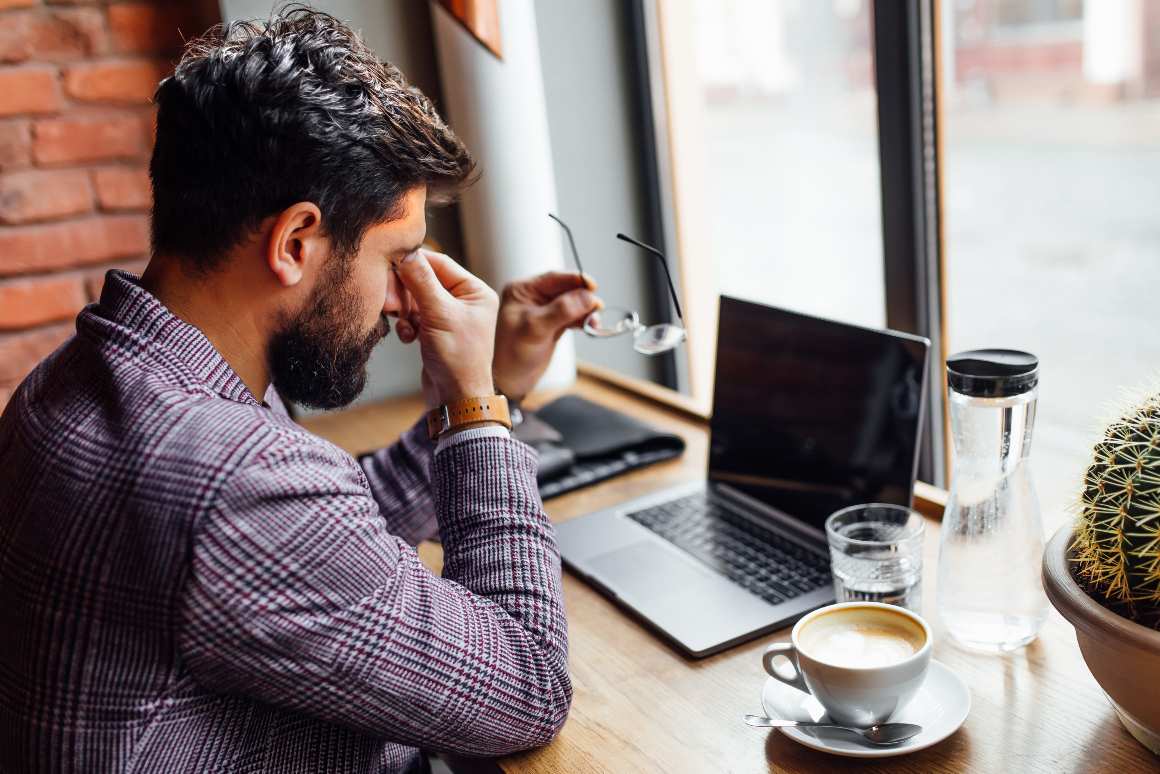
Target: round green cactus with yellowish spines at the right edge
[[1116, 552]]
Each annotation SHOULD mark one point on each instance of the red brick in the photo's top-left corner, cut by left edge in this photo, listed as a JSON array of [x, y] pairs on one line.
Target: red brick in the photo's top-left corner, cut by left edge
[[66, 34]]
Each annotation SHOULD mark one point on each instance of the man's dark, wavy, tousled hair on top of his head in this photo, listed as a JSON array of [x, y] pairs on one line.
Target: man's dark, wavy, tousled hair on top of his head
[[259, 117]]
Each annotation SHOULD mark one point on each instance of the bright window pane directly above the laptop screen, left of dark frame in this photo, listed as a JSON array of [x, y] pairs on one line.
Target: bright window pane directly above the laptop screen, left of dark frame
[[791, 154]]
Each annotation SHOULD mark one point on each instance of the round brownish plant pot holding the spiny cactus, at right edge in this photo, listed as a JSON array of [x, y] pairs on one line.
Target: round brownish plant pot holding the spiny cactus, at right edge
[[1123, 656]]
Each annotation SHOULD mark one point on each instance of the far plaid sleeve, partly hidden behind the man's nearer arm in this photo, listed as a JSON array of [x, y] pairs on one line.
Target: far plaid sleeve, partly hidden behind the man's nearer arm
[[401, 482]]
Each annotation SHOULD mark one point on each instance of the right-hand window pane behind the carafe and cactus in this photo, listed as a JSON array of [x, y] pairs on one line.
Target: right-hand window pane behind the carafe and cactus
[[1053, 229]]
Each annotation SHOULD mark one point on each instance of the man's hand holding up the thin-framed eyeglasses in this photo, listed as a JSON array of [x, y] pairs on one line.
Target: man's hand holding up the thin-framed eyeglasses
[[534, 315]]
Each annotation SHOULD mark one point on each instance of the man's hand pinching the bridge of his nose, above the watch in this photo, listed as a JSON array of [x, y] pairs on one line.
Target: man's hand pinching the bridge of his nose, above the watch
[[456, 327]]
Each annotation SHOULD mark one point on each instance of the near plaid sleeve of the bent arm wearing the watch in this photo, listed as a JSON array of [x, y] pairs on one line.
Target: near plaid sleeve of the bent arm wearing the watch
[[301, 598]]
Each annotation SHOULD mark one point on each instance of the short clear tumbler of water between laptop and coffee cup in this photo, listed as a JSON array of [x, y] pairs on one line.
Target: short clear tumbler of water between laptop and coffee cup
[[876, 555]]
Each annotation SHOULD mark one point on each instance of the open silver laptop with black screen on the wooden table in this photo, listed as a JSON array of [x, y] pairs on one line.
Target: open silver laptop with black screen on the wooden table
[[809, 416]]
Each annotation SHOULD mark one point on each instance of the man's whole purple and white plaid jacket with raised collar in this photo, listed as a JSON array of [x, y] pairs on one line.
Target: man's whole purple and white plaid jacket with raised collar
[[190, 582]]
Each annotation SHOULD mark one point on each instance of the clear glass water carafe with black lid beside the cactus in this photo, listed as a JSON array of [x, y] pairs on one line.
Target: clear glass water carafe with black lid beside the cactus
[[991, 545]]
